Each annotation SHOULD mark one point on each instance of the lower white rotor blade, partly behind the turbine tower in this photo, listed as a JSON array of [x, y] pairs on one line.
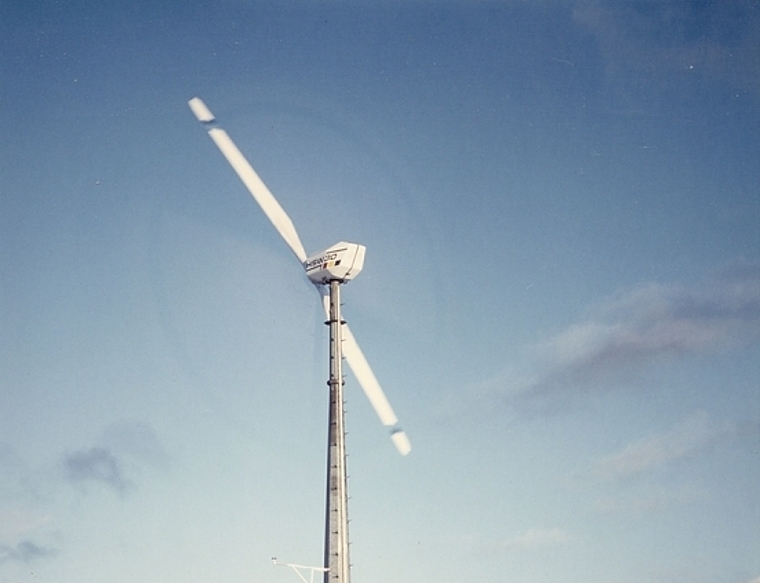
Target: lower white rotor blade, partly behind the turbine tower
[[368, 382]]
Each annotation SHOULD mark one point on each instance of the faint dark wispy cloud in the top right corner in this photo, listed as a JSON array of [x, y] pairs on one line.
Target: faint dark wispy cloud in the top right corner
[[668, 44]]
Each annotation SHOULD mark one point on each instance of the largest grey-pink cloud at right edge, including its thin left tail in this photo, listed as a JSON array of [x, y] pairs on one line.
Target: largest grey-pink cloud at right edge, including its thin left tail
[[653, 323]]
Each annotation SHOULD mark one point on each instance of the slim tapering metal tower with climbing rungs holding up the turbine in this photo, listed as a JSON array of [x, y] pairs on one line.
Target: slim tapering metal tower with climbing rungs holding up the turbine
[[337, 562]]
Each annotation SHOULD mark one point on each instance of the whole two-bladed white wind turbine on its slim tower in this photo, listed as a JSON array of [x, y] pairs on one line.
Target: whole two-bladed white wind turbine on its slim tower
[[327, 270]]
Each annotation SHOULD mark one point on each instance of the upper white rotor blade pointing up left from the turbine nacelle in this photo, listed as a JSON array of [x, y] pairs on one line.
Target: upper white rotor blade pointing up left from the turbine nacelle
[[247, 174]]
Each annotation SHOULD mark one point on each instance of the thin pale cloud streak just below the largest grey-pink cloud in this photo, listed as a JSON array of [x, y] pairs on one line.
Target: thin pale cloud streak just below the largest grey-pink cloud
[[687, 438]]
